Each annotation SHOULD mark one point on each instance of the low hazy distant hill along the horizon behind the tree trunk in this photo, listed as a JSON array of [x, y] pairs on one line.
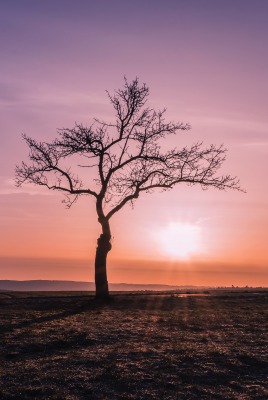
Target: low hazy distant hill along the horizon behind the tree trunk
[[45, 285]]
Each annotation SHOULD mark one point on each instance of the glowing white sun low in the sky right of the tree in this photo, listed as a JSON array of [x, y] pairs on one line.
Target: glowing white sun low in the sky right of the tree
[[179, 240]]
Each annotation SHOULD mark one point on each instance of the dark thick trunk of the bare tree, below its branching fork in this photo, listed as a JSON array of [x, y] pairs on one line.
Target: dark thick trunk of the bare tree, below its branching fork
[[103, 248]]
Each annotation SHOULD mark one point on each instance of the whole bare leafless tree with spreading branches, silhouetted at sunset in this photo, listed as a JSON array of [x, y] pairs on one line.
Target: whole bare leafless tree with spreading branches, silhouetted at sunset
[[127, 160]]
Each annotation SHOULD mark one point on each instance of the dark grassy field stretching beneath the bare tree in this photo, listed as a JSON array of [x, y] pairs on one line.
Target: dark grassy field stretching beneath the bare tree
[[138, 346]]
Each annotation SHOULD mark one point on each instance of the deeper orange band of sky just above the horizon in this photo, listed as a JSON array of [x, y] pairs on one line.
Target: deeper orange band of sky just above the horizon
[[138, 272]]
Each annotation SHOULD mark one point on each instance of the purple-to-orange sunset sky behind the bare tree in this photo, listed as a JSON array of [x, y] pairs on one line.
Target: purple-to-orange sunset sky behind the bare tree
[[206, 61]]
